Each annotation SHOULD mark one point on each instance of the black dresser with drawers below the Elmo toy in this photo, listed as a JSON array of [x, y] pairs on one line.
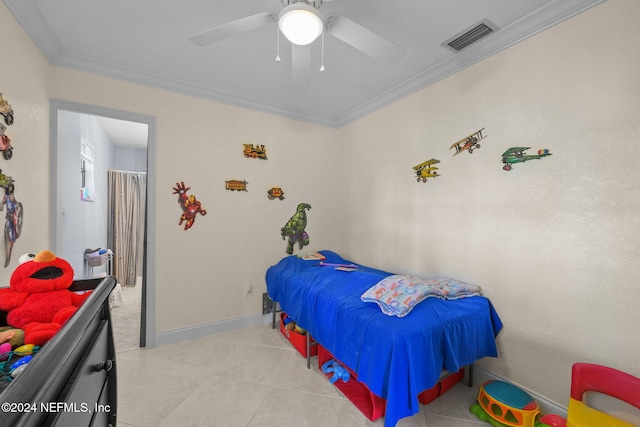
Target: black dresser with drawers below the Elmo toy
[[71, 381]]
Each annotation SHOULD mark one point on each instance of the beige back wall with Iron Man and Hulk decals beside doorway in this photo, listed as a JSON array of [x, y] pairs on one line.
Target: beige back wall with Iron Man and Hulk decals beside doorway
[[201, 274]]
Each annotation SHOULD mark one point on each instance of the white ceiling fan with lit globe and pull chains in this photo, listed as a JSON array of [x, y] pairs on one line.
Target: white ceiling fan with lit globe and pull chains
[[301, 23]]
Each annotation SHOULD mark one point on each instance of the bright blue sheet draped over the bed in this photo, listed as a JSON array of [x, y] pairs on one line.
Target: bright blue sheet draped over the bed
[[397, 358]]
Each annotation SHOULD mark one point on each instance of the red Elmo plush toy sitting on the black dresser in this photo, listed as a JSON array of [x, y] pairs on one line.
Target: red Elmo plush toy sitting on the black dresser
[[38, 300]]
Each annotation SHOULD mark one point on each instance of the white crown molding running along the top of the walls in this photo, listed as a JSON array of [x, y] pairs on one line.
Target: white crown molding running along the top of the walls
[[554, 12]]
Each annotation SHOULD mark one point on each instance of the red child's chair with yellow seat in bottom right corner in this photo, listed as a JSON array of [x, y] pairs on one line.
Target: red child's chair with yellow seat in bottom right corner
[[589, 377]]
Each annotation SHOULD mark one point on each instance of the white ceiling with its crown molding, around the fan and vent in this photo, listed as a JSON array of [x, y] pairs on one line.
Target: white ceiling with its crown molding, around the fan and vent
[[147, 42]]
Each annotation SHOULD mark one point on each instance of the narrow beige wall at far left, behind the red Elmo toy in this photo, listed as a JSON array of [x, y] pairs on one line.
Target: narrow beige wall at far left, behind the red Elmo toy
[[24, 82]]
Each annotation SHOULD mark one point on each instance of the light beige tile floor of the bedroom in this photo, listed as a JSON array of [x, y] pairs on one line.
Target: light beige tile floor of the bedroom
[[246, 378]]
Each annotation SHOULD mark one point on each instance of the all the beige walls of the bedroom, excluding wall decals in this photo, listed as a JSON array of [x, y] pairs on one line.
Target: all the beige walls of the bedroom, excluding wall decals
[[553, 242]]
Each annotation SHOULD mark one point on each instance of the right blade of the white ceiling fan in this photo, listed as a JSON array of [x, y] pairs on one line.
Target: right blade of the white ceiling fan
[[363, 39]]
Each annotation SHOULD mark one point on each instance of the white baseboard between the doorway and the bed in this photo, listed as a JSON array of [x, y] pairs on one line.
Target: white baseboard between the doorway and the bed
[[178, 335]]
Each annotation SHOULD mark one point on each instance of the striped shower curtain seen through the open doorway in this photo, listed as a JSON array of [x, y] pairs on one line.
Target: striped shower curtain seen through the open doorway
[[126, 206]]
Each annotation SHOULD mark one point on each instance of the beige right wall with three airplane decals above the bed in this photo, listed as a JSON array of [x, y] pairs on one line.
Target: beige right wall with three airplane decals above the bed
[[554, 242]]
